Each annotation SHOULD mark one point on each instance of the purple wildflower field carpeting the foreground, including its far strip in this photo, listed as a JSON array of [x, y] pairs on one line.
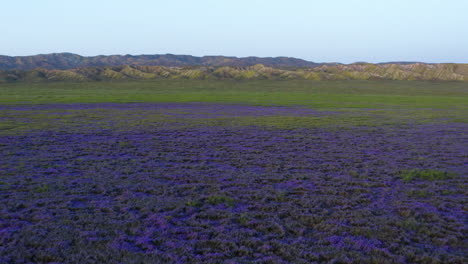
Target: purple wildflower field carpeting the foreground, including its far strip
[[120, 183]]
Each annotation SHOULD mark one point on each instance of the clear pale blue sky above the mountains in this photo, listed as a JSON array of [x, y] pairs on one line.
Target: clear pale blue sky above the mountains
[[321, 31]]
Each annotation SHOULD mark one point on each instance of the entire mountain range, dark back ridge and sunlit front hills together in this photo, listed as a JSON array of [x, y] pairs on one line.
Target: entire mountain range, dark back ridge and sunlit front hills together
[[72, 67]]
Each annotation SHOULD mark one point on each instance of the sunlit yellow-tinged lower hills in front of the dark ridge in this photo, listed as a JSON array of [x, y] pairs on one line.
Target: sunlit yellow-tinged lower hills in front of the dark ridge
[[361, 71]]
